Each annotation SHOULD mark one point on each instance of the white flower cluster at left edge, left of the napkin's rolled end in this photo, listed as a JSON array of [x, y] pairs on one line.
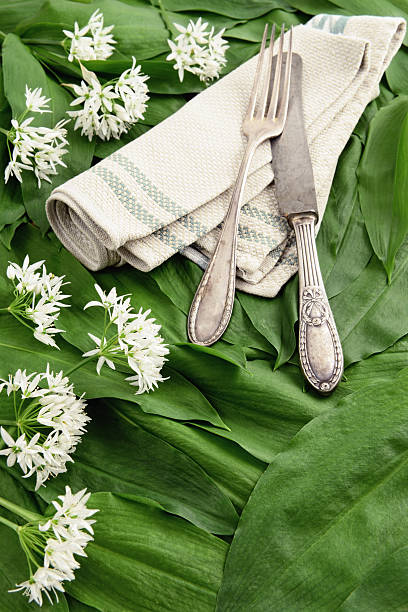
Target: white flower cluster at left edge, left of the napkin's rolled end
[[39, 149]]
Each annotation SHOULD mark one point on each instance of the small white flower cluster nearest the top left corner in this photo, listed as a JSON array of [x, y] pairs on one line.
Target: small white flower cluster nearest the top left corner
[[93, 41]]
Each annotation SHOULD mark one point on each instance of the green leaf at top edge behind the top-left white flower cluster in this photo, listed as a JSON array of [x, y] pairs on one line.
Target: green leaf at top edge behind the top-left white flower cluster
[[139, 30]]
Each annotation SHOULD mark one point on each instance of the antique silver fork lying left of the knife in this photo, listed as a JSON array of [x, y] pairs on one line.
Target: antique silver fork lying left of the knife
[[212, 305]]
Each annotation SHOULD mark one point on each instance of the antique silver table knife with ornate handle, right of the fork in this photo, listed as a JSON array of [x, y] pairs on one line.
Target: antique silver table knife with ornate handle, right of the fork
[[320, 352]]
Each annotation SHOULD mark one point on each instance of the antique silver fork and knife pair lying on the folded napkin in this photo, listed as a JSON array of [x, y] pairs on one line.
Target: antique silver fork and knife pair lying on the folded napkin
[[275, 113]]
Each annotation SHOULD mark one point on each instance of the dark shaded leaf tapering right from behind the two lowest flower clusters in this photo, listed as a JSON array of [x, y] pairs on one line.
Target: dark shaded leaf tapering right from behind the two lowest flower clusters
[[142, 465]]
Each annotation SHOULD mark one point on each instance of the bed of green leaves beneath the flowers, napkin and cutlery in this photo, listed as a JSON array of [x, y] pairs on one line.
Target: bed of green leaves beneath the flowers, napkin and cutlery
[[233, 462]]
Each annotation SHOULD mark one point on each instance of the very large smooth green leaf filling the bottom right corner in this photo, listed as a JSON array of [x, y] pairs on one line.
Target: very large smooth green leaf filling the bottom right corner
[[328, 510]]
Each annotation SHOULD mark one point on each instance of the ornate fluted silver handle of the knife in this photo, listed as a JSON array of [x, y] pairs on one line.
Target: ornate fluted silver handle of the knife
[[320, 351]]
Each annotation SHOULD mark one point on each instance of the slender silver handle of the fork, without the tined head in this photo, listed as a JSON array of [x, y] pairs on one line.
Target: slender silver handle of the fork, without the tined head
[[211, 308]]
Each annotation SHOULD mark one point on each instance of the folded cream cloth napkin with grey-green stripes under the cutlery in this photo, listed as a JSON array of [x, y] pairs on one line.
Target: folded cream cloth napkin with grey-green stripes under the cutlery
[[168, 190]]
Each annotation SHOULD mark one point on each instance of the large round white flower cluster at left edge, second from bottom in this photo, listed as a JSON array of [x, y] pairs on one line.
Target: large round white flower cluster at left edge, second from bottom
[[49, 426]]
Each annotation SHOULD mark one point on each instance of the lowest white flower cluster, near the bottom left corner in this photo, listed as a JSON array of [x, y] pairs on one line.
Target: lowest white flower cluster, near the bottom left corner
[[61, 537]]
